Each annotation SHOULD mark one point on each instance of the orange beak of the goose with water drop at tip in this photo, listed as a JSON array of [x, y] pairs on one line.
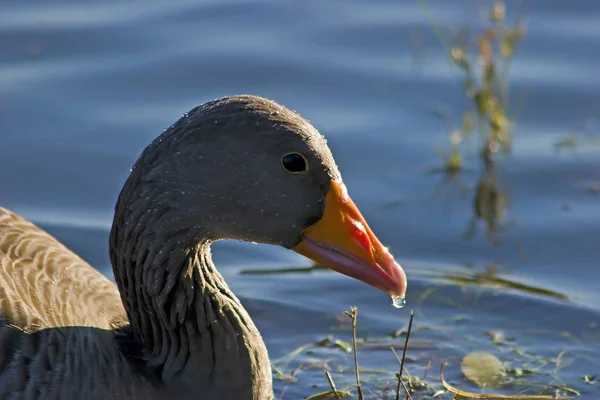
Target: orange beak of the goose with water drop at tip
[[342, 241]]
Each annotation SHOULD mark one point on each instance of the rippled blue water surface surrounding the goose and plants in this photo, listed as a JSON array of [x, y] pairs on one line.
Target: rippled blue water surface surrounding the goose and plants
[[85, 85]]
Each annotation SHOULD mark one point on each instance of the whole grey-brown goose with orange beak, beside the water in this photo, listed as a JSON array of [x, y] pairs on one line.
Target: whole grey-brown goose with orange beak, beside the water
[[238, 167]]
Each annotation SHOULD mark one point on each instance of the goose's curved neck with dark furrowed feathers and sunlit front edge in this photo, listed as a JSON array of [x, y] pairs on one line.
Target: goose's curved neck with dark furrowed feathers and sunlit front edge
[[191, 328]]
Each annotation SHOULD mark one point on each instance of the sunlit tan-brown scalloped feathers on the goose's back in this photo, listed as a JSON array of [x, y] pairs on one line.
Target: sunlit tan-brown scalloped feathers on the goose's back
[[43, 284]]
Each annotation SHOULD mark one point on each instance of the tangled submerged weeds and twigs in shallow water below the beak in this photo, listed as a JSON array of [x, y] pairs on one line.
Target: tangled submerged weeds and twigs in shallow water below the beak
[[514, 374]]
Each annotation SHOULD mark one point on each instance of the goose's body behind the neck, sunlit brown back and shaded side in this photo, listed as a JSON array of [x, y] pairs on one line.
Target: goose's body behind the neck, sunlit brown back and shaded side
[[59, 321]]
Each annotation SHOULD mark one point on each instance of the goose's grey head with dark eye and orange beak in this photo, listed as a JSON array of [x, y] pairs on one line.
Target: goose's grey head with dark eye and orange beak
[[247, 168]]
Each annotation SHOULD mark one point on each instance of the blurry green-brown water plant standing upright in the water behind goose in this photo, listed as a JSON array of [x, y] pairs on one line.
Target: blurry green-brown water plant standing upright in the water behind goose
[[484, 64]]
